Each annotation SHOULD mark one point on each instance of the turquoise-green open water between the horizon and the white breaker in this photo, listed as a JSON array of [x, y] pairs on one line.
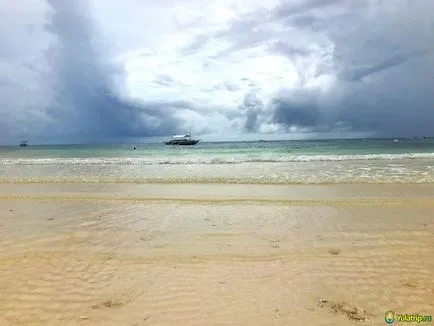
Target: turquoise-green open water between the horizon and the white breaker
[[232, 150]]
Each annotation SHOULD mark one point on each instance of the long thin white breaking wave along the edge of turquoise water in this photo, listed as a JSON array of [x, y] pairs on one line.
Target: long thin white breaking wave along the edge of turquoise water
[[211, 160]]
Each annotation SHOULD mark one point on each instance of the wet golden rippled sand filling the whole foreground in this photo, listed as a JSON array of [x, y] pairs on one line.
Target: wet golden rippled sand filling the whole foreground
[[120, 254]]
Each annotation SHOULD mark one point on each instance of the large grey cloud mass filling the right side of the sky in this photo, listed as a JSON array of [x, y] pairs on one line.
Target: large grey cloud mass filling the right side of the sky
[[383, 61]]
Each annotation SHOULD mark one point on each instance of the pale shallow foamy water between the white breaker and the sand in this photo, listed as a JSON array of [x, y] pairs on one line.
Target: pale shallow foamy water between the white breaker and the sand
[[416, 171]]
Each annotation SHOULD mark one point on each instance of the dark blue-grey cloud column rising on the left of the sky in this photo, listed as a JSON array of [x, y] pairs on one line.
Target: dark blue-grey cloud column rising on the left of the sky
[[88, 103]]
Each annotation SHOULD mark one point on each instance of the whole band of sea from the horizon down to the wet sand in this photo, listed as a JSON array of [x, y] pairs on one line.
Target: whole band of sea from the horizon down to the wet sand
[[273, 162]]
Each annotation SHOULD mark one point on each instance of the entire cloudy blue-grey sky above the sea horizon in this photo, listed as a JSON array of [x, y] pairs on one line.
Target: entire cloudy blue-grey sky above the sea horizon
[[105, 71]]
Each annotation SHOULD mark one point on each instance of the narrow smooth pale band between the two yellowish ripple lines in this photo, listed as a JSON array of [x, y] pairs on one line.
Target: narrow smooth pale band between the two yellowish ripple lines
[[223, 190]]
